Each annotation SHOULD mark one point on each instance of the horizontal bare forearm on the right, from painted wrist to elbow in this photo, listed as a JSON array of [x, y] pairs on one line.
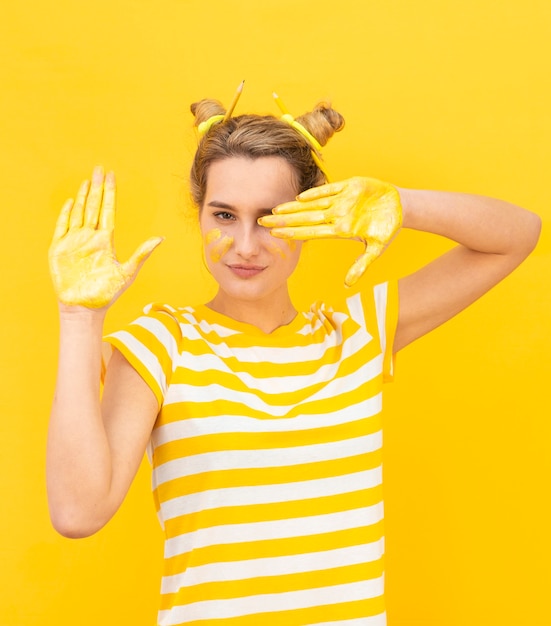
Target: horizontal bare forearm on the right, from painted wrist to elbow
[[479, 223]]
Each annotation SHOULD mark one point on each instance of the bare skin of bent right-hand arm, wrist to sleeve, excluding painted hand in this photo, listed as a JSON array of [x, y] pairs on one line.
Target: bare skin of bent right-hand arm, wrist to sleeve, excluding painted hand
[[494, 237]]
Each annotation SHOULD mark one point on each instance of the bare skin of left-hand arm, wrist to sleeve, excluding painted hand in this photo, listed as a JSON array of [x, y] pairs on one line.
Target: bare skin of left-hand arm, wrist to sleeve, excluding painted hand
[[94, 449]]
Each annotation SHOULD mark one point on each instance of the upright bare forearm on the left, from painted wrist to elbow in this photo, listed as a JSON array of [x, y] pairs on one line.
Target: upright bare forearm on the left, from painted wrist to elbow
[[78, 453]]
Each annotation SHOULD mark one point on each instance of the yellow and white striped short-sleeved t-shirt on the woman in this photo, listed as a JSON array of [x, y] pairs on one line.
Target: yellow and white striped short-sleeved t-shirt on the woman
[[267, 461]]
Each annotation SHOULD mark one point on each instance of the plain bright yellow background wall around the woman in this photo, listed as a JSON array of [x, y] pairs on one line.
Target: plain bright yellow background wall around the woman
[[436, 94]]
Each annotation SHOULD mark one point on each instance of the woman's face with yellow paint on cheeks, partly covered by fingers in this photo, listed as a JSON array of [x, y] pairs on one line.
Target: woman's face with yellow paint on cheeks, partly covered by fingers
[[245, 260]]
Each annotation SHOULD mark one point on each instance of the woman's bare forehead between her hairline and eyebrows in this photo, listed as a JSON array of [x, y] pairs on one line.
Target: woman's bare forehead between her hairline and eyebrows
[[240, 181]]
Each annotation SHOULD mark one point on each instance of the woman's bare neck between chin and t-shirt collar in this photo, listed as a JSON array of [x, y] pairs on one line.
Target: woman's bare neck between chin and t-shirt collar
[[265, 315]]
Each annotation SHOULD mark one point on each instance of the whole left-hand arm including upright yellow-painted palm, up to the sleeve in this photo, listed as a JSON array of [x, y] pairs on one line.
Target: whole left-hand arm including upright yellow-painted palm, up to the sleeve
[[94, 449]]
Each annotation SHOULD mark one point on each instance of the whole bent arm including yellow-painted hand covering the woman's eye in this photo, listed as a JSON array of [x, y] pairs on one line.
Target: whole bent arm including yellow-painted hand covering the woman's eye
[[494, 237]]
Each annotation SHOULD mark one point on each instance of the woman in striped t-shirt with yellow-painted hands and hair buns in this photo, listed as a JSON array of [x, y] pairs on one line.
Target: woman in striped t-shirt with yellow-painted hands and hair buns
[[263, 422]]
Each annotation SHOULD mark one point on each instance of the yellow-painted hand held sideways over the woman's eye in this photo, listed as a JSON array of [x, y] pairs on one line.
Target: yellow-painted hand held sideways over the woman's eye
[[358, 208]]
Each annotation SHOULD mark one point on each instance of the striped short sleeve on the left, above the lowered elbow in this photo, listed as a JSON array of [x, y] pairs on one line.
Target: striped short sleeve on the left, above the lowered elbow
[[150, 344]]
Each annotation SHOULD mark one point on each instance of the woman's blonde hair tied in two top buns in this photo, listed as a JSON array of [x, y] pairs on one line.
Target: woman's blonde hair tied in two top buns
[[255, 136]]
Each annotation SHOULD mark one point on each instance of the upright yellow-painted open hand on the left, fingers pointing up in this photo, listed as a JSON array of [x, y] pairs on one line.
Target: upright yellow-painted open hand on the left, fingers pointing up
[[83, 264]]
